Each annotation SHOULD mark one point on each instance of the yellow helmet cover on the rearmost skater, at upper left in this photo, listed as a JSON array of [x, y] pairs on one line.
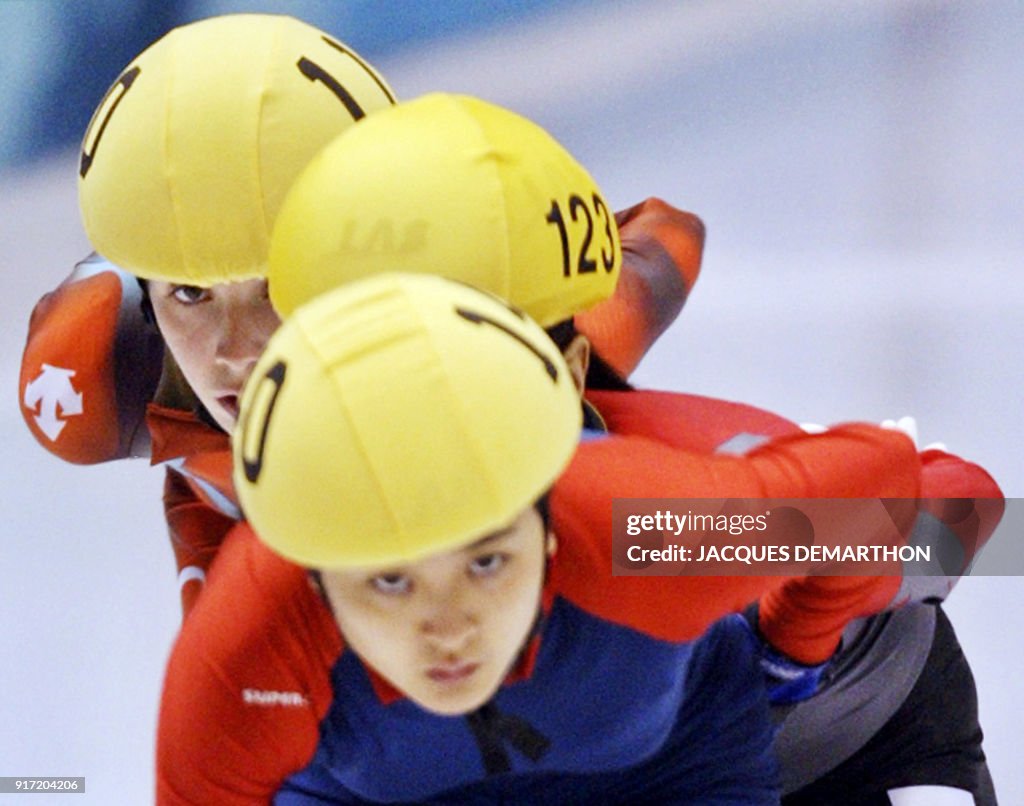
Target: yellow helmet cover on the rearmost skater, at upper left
[[189, 155]]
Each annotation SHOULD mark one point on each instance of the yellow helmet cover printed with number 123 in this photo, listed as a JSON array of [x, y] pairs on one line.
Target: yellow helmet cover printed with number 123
[[449, 185]]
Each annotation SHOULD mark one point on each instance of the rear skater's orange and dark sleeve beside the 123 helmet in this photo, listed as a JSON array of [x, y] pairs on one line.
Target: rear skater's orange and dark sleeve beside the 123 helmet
[[662, 252]]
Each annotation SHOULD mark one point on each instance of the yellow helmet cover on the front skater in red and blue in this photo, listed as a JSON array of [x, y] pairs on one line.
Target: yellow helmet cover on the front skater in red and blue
[[397, 417]]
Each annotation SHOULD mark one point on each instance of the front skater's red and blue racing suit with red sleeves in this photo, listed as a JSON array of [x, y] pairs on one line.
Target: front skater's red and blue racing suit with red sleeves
[[260, 688]]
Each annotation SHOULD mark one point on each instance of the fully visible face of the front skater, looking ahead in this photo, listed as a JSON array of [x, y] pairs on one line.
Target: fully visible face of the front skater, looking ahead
[[447, 630]]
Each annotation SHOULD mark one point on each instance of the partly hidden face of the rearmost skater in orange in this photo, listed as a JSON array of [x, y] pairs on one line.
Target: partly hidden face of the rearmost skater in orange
[[216, 335]]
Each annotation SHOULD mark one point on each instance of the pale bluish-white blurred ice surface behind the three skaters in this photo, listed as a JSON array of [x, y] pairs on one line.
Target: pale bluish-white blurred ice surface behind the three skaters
[[860, 175]]
